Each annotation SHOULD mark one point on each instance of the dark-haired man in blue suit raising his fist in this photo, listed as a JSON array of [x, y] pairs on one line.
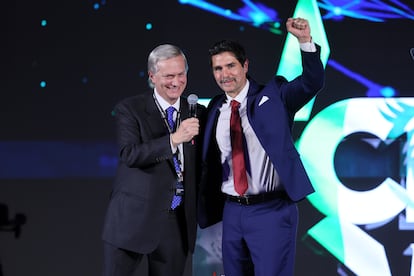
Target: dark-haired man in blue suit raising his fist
[[260, 220]]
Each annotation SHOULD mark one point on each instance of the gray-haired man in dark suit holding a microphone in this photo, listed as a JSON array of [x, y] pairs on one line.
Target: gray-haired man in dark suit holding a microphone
[[151, 215]]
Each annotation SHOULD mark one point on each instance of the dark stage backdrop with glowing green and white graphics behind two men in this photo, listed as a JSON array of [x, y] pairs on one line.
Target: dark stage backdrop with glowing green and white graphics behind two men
[[65, 64]]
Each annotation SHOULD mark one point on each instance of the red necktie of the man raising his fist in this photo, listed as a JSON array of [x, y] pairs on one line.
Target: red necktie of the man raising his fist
[[236, 136]]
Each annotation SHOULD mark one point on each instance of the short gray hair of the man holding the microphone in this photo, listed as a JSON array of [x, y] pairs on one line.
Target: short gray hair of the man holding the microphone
[[163, 52]]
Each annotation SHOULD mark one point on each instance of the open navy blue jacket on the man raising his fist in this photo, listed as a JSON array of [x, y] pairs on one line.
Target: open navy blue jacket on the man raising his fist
[[270, 110]]
